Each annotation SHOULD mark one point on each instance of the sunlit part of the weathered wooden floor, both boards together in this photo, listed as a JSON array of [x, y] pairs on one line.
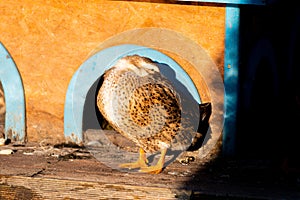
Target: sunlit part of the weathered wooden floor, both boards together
[[60, 172]]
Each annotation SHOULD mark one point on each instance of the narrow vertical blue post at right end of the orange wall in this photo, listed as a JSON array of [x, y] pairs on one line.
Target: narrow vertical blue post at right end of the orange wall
[[231, 75]]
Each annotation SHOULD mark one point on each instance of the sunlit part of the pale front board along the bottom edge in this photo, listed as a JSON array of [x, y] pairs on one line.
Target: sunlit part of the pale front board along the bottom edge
[[47, 188]]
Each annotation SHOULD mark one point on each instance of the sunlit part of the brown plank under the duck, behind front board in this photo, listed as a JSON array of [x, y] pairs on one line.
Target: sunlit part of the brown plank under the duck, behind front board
[[78, 164]]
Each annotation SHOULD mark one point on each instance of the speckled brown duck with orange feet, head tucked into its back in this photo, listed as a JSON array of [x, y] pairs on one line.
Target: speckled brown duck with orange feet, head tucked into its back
[[142, 105]]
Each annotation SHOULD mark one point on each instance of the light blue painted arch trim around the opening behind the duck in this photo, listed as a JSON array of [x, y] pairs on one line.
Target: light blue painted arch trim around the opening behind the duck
[[93, 68]]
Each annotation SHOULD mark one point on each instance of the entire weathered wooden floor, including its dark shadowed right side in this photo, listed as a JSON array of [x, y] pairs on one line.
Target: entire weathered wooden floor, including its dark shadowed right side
[[63, 172]]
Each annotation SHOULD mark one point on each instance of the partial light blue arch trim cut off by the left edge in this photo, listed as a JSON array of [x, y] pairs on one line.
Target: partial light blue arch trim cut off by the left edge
[[14, 97]]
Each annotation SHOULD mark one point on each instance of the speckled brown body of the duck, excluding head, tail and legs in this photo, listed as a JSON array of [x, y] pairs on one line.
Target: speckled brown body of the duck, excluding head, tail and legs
[[139, 107]]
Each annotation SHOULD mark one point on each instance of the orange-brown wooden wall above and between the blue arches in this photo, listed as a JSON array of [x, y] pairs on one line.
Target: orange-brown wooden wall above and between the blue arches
[[49, 40]]
